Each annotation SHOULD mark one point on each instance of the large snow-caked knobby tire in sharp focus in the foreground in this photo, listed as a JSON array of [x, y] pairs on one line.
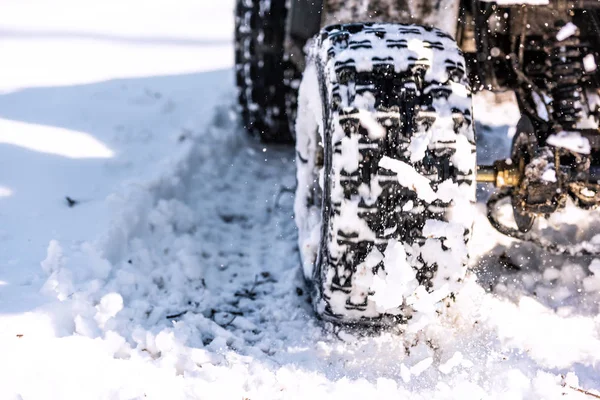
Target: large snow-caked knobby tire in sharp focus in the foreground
[[386, 172]]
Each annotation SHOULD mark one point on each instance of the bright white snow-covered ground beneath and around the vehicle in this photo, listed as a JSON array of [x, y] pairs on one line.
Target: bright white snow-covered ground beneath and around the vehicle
[[175, 275]]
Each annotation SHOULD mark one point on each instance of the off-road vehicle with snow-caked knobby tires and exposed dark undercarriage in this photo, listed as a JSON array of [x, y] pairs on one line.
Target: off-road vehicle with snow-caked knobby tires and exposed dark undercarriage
[[377, 97]]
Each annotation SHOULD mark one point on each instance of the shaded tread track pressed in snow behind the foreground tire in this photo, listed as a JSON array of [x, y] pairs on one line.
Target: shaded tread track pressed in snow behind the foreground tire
[[248, 236]]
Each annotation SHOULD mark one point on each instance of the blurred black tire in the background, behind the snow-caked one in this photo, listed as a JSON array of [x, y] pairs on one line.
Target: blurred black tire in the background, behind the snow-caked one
[[265, 79]]
